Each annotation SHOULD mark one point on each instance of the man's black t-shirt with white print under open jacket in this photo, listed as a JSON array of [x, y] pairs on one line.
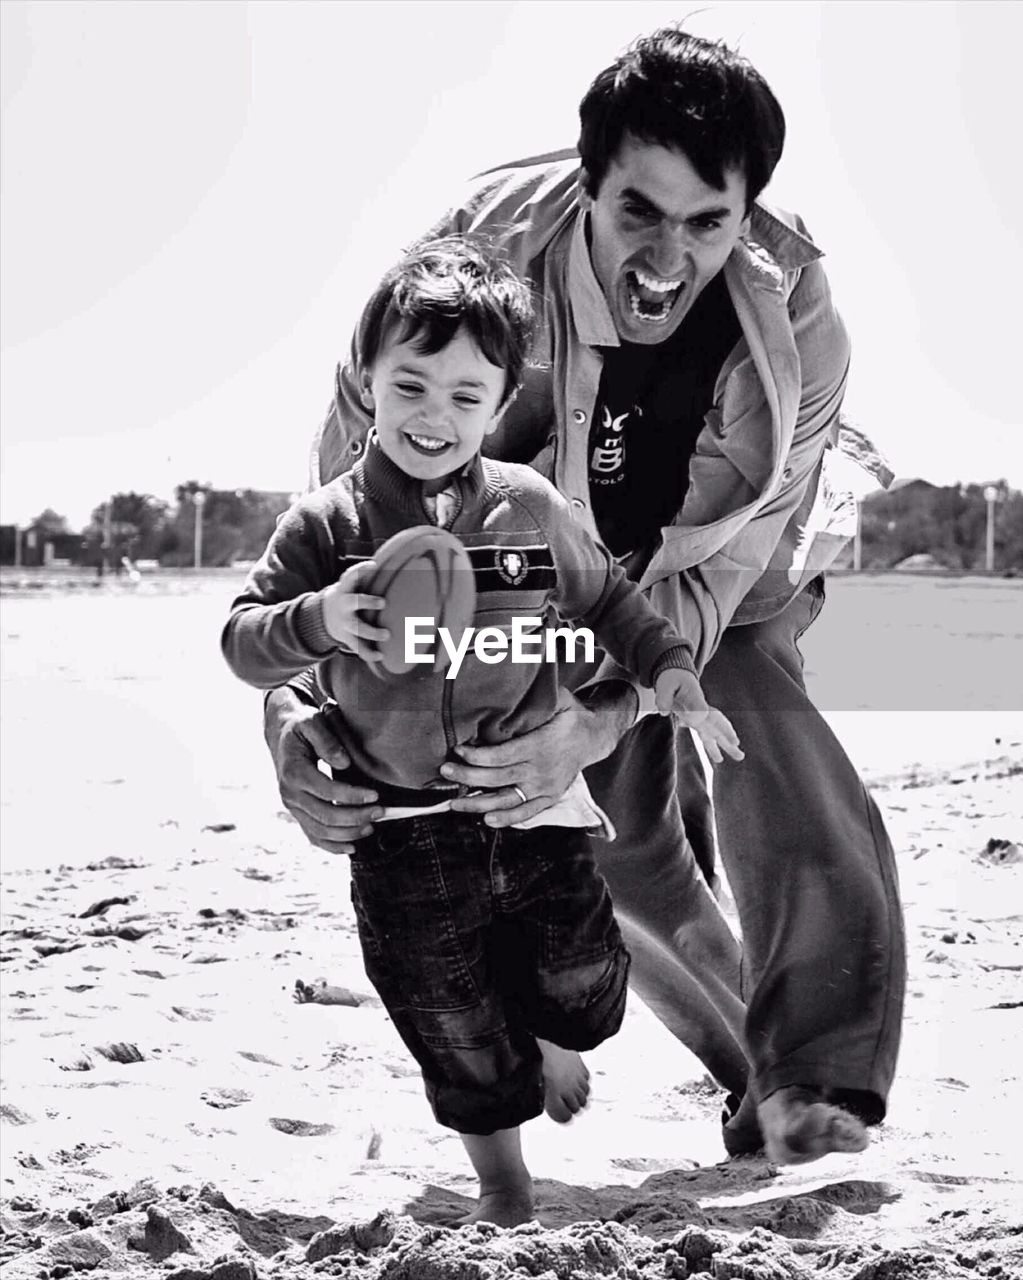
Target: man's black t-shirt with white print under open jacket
[[650, 412]]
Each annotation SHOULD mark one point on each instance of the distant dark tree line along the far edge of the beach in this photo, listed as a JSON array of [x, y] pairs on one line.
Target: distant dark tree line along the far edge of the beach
[[911, 519]]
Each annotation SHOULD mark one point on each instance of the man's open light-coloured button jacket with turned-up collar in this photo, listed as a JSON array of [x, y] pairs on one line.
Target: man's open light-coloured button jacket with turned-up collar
[[761, 515]]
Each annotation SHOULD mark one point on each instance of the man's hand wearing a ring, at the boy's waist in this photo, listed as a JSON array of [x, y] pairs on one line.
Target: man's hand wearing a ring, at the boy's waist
[[527, 775]]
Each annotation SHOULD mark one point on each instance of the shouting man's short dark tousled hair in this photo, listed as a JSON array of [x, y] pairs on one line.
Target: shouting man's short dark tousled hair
[[693, 95]]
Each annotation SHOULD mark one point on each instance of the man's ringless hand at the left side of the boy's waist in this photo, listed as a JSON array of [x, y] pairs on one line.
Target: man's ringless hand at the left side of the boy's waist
[[332, 815]]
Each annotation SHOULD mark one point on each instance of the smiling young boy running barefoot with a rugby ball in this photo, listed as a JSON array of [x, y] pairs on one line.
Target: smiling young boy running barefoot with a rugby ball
[[488, 948]]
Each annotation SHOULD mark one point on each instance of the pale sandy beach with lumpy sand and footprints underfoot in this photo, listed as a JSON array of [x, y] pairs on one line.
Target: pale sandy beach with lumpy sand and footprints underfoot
[[170, 1109]]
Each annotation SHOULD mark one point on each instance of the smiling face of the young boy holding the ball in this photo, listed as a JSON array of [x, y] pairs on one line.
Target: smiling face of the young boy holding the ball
[[432, 412]]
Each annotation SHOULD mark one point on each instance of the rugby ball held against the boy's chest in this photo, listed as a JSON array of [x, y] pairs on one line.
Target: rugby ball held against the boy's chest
[[422, 573]]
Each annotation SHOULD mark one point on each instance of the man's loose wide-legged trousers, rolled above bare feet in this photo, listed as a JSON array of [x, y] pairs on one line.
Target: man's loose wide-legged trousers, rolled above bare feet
[[821, 970]]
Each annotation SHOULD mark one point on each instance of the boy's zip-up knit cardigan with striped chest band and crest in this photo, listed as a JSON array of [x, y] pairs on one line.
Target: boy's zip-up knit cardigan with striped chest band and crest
[[531, 560]]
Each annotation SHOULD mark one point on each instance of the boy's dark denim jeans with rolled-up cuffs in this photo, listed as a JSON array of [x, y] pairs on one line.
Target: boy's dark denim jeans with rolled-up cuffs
[[479, 941]]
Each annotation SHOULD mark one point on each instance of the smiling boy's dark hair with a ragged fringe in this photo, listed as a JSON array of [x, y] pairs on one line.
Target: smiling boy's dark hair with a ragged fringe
[[442, 286]]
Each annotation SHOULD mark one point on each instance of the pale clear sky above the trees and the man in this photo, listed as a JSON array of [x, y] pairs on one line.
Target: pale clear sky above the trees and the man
[[198, 199]]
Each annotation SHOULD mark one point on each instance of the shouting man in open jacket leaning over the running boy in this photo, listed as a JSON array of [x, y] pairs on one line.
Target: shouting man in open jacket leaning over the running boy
[[691, 377]]
